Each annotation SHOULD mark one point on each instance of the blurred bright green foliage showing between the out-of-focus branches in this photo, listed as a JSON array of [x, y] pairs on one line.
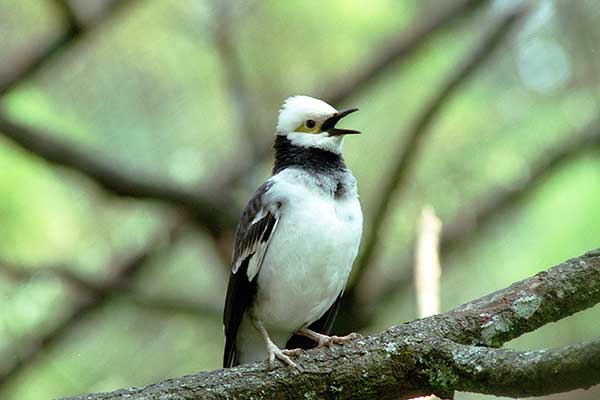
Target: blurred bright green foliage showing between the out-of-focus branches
[[148, 92]]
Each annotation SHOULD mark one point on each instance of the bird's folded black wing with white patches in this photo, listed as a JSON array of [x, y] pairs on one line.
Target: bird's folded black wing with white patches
[[252, 238]]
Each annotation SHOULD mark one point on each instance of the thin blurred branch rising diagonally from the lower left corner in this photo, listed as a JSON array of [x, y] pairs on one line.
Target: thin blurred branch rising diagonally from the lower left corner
[[120, 274]]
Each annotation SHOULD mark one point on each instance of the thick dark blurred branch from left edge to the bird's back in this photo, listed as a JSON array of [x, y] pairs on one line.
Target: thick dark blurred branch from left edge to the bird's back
[[207, 209]]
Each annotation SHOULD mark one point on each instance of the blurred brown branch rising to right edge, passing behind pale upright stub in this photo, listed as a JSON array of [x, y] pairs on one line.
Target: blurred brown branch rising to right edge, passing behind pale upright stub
[[476, 216]]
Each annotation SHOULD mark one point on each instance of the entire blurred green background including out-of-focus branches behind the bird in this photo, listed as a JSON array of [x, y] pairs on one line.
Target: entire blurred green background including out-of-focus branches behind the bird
[[132, 132]]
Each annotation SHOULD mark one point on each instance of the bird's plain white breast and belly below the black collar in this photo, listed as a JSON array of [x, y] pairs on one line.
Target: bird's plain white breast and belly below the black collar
[[308, 261]]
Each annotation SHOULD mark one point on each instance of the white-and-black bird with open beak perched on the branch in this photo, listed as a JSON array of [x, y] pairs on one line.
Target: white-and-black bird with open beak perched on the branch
[[296, 241]]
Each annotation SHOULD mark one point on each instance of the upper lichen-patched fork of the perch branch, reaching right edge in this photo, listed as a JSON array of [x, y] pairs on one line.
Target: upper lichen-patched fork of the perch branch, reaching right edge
[[528, 304]]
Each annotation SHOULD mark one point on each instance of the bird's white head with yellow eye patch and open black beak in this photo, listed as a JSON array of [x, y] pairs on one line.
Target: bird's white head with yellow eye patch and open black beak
[[310, 122]]
